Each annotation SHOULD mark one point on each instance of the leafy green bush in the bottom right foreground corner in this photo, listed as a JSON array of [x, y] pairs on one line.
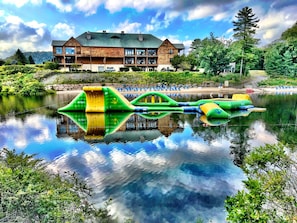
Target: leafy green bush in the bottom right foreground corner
[[271, 193]]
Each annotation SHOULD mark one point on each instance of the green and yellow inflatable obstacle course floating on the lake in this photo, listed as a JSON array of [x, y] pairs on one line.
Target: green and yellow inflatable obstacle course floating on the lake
[[108, 99]]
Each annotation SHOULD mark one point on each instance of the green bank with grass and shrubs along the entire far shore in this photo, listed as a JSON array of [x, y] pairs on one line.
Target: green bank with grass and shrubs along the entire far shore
[[29, 80]]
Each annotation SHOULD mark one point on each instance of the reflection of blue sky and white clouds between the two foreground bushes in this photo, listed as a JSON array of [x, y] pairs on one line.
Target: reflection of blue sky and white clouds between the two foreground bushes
[[169, 179]]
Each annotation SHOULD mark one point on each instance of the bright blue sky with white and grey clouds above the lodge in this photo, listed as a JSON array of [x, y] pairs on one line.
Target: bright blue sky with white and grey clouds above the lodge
[[31, 25]]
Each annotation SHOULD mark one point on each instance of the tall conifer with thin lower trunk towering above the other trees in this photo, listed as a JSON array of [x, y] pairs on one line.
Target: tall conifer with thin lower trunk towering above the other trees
[[244, 30]]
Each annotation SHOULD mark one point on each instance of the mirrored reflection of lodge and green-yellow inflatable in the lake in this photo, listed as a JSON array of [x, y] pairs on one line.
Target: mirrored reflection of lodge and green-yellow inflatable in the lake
[[115, 127]]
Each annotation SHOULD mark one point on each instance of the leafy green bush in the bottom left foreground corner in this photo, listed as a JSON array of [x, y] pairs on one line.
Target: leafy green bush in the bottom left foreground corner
[[31, 194]]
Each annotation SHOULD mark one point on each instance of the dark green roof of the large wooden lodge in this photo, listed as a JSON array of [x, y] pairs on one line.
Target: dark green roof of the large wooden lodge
[[123, 40]]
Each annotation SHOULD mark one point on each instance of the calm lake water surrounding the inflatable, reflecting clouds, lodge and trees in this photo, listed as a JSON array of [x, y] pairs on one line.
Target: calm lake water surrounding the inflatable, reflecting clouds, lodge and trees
[[169, 167]]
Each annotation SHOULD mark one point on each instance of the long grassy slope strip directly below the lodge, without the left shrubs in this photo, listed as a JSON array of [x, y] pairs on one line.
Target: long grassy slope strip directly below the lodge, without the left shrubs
[[141, 78]]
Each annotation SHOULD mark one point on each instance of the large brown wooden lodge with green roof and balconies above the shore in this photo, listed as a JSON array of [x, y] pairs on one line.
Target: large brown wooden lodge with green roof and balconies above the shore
[[104, 51]]
